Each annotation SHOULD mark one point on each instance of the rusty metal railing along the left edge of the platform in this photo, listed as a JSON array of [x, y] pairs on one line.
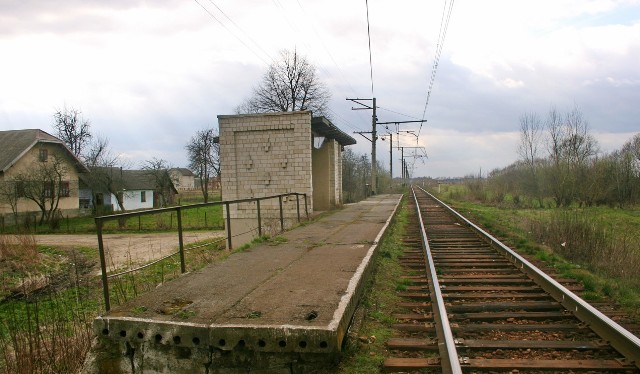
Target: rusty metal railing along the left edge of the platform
[[178, 210]]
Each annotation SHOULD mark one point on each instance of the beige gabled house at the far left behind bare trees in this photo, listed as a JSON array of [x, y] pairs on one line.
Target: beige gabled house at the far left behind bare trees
[[38, 173]]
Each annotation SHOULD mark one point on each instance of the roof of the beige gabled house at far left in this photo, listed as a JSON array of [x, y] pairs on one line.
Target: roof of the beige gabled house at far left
[[16, 143]]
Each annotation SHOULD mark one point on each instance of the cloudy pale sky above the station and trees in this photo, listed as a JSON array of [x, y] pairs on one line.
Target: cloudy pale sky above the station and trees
[[149, 74]]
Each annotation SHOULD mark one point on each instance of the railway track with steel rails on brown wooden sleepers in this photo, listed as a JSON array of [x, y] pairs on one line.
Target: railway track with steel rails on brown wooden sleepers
[[473, 305]]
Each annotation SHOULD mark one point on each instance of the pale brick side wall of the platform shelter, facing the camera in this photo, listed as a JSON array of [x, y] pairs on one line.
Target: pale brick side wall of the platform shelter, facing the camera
[[263, 155]]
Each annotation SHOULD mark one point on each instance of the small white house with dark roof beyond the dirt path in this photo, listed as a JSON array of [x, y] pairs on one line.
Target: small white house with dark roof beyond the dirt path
[[113, 189]]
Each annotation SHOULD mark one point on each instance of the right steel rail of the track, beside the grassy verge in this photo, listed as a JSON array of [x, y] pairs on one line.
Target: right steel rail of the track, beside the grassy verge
[[621, 339]]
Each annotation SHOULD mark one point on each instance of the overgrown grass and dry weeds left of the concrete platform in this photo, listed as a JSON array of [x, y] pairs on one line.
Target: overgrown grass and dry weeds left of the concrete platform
[[45, 326]]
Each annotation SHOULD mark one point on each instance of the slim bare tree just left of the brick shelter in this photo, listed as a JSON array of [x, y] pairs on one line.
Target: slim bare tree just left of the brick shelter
[[203, 152]]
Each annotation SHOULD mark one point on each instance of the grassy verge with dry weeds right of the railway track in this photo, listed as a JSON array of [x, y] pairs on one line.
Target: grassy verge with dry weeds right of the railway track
[[598, 246]]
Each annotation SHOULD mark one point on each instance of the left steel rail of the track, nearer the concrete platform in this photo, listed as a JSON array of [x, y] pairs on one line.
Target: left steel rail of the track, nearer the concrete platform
[[446, 343]]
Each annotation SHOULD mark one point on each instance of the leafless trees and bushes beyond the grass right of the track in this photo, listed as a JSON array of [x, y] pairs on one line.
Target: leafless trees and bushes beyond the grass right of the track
[[560, 164]]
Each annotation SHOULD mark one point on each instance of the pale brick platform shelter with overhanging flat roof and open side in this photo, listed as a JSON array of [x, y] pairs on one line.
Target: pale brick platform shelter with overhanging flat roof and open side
[[276, 153]]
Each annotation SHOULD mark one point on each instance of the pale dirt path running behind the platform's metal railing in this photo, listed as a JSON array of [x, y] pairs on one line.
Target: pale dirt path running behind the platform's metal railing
[[124, 249]]
